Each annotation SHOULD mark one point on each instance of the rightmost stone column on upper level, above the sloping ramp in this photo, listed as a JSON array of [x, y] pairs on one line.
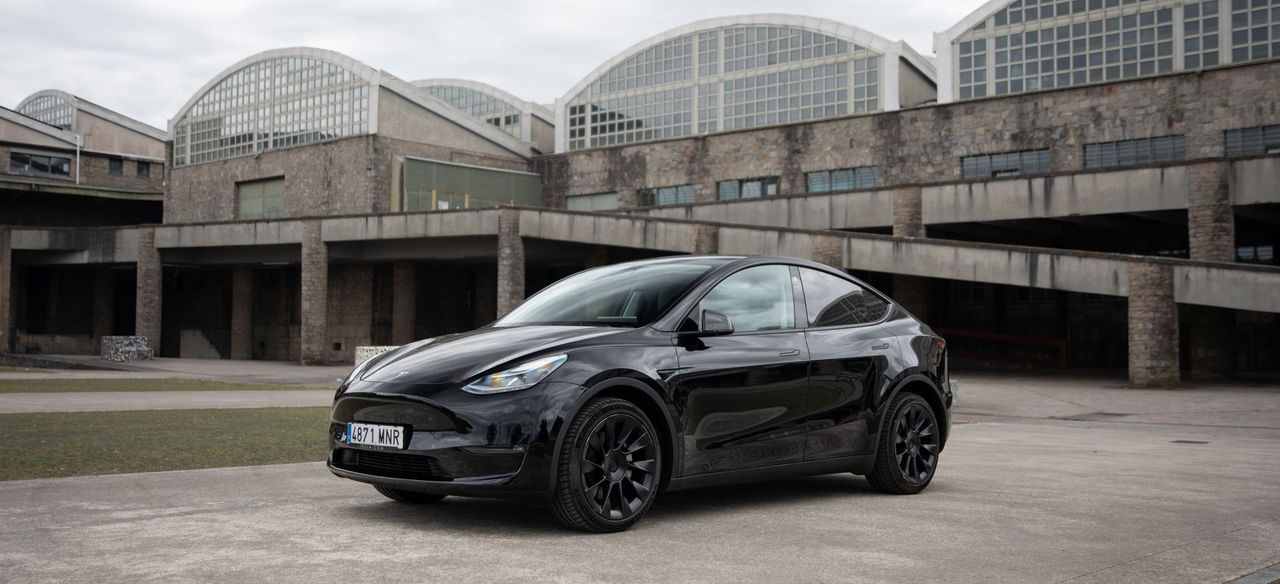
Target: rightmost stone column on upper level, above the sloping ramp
[[1210, 216]]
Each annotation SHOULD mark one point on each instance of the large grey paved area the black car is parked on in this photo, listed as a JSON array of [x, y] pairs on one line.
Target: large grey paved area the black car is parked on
[[1181, 490]]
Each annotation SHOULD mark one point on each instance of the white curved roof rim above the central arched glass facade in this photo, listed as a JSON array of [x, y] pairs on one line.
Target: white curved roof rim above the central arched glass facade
[[824, 26]]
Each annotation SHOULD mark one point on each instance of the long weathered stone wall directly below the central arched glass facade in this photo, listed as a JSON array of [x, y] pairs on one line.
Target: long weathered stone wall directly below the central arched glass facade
[[925, 145]]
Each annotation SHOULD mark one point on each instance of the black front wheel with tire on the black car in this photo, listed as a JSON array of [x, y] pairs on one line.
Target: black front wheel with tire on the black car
[[610, 468]]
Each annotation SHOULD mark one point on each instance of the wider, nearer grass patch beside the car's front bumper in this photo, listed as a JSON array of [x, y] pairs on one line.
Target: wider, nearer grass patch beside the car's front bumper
[[109, 442]]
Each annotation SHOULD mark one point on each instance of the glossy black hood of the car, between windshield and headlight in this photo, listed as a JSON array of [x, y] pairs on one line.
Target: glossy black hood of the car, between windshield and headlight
[[465, 357]]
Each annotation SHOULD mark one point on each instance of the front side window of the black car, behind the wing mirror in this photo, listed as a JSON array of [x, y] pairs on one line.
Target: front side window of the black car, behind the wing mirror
[[756, 299]]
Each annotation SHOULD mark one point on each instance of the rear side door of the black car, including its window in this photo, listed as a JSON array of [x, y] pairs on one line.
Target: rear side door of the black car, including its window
[[851, 353]]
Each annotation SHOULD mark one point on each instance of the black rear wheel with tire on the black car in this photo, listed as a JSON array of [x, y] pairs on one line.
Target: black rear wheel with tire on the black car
[[907, 454]]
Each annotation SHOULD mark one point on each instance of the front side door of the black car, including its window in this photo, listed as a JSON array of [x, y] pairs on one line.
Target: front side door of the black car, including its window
[[743, 396]]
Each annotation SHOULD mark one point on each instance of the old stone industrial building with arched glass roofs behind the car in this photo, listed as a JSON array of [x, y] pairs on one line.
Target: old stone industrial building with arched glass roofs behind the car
[[1104, 216]]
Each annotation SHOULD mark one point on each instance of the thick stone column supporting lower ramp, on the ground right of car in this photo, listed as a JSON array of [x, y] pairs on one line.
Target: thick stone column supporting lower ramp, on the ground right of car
[[1153, 327]]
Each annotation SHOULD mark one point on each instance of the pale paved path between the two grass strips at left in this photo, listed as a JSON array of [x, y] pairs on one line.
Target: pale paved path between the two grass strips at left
[[113, 401]]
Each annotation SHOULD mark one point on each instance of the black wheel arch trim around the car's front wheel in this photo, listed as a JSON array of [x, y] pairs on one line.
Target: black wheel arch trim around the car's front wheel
[[647, 399]]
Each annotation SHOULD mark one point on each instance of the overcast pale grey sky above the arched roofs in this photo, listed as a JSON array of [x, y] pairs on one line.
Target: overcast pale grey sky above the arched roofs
[[145, 60]]
